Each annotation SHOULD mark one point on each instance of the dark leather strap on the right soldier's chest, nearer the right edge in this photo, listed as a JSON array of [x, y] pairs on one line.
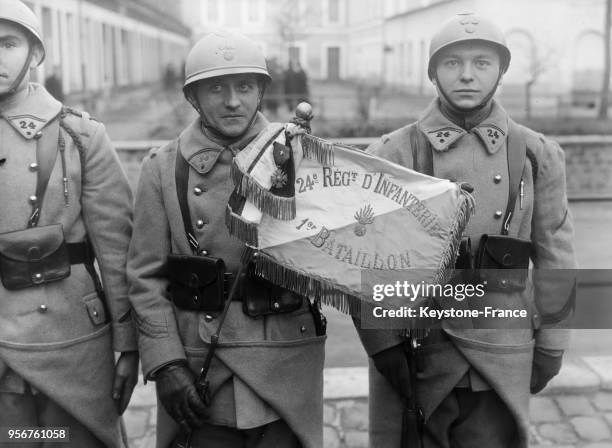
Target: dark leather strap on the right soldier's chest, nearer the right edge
[[517, 152]]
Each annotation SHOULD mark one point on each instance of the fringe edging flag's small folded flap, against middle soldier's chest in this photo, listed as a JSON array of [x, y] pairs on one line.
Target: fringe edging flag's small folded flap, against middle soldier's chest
[[278, 207]]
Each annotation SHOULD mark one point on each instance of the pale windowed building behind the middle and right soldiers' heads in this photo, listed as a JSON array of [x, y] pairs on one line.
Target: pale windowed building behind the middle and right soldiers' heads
[[557, 45]]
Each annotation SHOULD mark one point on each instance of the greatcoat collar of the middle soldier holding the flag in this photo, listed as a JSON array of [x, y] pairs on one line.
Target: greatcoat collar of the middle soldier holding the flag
[[202, 152]]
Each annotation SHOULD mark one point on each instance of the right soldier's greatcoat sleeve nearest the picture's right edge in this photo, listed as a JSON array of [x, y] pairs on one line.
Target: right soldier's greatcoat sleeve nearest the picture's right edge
[[553, 249]]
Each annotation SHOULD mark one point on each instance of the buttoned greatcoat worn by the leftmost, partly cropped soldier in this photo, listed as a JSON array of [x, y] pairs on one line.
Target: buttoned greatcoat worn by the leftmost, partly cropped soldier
[[60, 337]]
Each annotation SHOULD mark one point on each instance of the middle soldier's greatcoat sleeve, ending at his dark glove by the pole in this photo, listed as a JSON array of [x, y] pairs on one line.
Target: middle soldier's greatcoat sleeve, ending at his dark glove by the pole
[[158, 336]]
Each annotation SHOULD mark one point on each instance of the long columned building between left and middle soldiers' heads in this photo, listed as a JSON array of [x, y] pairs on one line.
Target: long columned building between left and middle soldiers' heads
[[102, 44]]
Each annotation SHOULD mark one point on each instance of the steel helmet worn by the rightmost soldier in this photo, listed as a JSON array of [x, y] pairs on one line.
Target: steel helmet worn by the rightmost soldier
[[468, 27]]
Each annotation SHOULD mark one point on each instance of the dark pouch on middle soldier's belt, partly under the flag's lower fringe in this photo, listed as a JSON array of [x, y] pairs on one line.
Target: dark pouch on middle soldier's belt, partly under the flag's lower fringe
[[260, 298]]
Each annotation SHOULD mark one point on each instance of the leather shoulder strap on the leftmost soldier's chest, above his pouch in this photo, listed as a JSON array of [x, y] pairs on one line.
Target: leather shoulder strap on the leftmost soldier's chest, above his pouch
[[47, 148]]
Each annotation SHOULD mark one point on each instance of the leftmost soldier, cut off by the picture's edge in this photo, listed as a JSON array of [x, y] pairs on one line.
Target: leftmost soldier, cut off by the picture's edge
[[59, 328]]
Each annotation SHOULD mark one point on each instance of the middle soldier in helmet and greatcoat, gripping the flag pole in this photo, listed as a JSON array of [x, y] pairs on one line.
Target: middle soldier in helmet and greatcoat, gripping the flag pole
[[266, 376]]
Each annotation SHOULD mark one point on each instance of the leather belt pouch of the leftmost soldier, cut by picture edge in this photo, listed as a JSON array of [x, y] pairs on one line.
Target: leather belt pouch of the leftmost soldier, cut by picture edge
[[33, 256]]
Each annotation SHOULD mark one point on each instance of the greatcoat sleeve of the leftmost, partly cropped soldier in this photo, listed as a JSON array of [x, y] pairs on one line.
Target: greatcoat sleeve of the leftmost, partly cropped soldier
[[106, 201]]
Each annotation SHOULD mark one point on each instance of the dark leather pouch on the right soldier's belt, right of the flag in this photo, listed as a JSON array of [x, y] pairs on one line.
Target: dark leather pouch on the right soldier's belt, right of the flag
[[502, 262]]
